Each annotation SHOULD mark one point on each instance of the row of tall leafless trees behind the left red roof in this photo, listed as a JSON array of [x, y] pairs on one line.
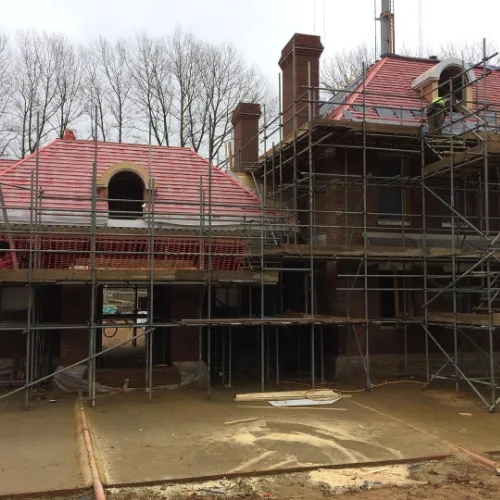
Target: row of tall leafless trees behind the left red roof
[[181, 87]]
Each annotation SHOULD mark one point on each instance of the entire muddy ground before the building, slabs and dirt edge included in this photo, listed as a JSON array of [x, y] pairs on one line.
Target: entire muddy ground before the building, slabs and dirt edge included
[[181, 438]]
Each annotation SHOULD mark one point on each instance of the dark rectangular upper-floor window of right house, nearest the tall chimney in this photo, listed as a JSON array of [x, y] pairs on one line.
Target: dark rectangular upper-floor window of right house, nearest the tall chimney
[[391, 194]]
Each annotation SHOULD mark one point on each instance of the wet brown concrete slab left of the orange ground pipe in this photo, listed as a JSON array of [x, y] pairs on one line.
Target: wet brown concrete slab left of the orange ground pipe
[[39, 448]]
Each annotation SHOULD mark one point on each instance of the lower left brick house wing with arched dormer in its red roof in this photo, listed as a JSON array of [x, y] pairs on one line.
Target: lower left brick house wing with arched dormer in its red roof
[[49, 274]]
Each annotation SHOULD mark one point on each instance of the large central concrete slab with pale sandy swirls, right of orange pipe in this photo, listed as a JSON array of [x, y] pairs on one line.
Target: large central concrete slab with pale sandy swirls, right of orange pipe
[[182, 435]]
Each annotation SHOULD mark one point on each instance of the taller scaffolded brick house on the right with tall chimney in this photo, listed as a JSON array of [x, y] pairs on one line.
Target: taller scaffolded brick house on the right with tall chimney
[[408, 207]]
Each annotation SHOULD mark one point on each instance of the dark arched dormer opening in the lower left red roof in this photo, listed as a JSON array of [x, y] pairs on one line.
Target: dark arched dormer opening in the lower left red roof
[[126, 195]]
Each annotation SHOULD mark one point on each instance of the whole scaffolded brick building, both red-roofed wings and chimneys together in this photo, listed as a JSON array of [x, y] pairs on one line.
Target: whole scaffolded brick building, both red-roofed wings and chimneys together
[[367, 240]]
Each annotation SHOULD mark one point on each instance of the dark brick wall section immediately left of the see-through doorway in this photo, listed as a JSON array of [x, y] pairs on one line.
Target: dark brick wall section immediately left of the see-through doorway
[[75, 310]]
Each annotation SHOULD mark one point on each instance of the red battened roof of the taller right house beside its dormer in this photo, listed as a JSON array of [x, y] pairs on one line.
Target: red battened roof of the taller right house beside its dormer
[[391, 78]]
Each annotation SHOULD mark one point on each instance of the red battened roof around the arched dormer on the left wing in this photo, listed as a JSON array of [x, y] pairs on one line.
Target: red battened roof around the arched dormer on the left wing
[[65, 177]]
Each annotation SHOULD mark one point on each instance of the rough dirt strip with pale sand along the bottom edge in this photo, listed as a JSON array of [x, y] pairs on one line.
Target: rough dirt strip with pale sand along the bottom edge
[[456, 478]]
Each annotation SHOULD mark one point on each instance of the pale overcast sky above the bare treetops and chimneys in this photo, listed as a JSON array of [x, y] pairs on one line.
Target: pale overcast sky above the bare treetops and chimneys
[[259, 28]]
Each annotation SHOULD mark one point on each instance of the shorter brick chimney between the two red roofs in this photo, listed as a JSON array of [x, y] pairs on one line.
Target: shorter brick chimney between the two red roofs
[[245, 121]]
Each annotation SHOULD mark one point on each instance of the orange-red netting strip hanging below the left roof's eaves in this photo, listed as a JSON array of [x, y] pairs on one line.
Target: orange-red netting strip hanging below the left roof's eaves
[[61, 252]]
